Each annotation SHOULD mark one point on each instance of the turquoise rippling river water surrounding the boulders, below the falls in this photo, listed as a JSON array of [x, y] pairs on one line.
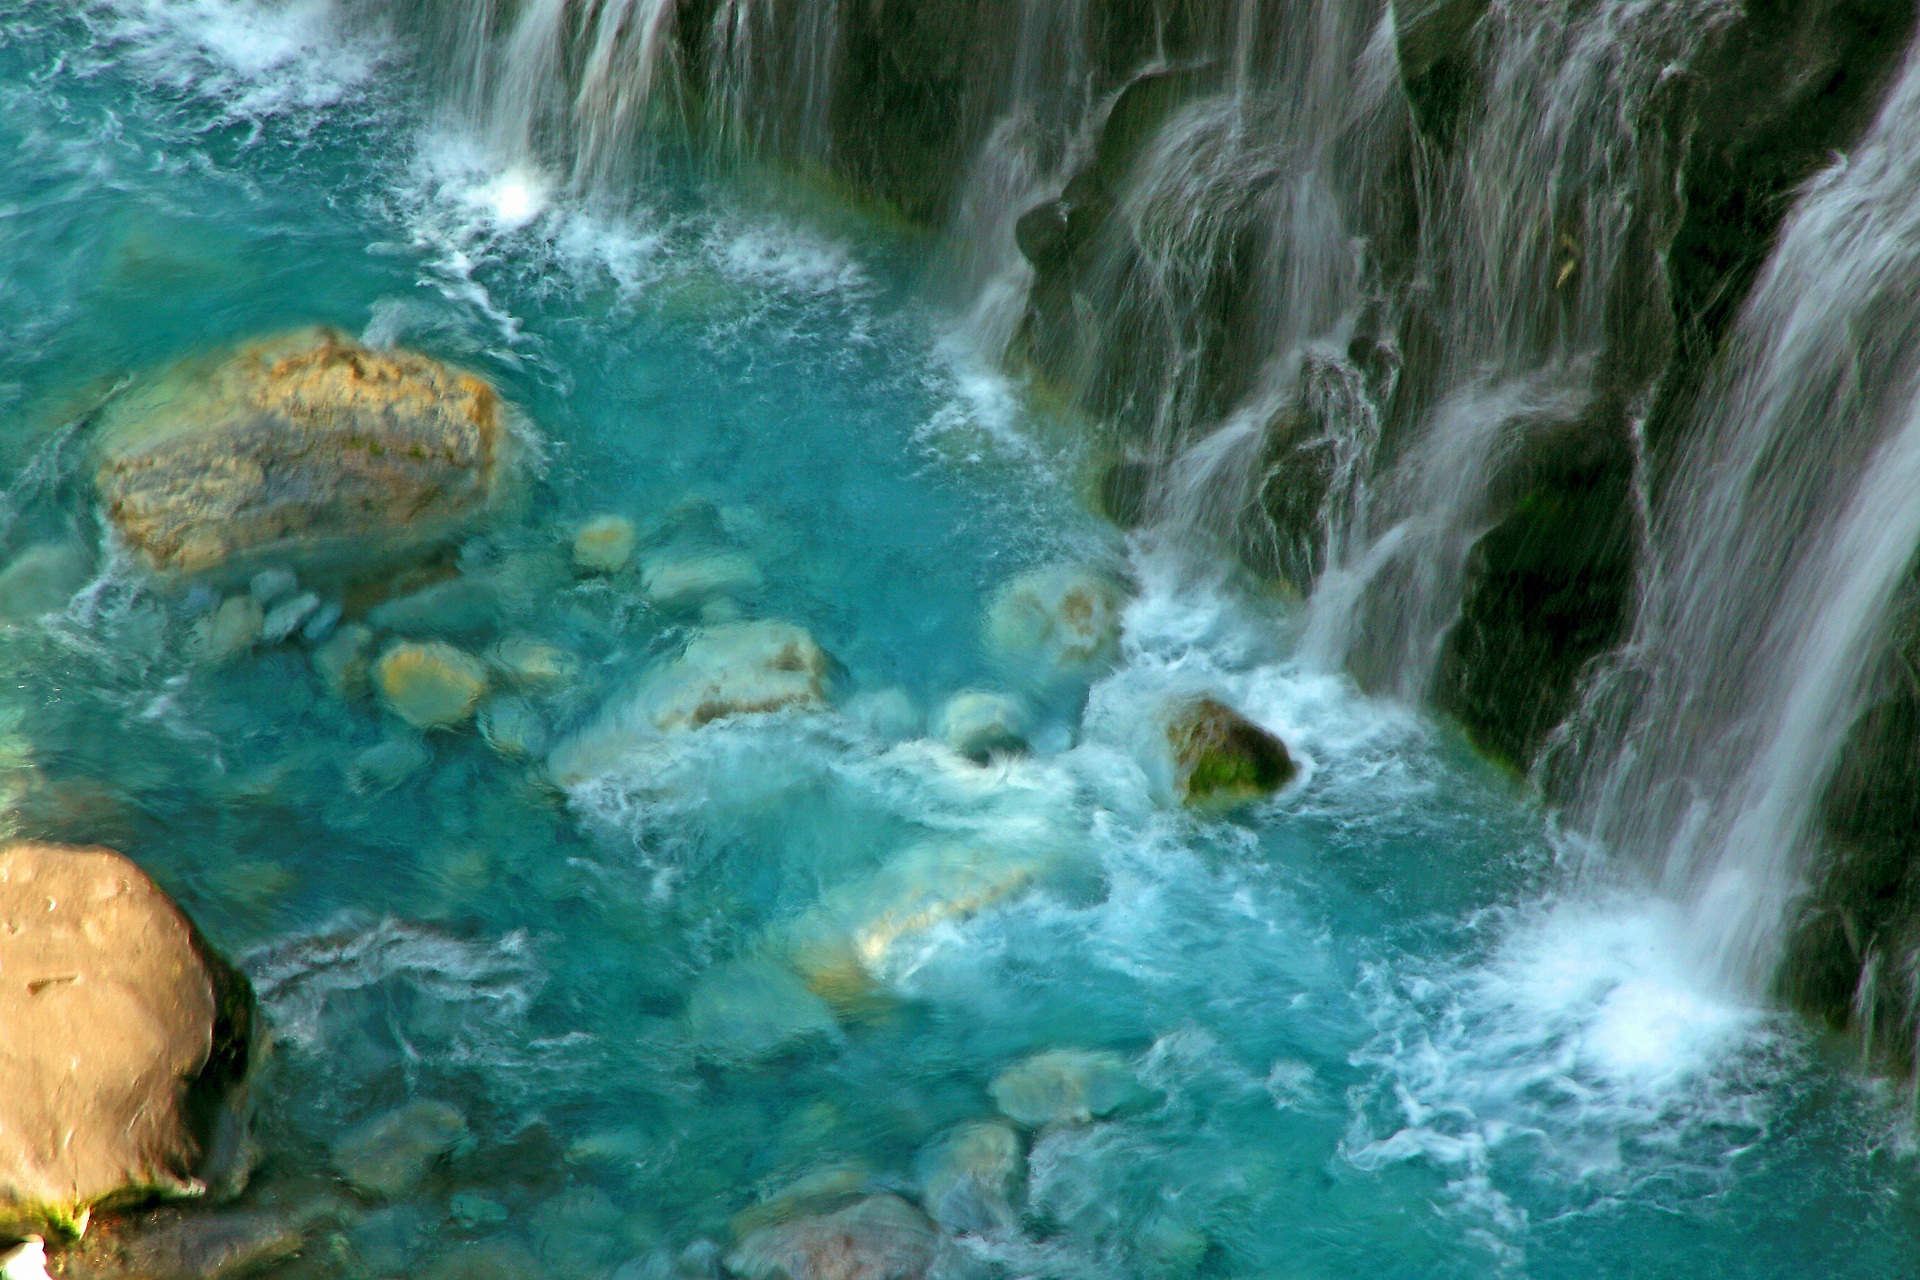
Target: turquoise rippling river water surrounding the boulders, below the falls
[[1364, 1028]]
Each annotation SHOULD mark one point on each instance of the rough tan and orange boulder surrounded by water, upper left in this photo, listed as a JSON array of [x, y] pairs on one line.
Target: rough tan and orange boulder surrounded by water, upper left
[[306, 450]]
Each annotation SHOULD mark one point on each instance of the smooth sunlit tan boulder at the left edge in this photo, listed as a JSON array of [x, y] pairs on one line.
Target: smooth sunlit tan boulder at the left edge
[[124, 1043]]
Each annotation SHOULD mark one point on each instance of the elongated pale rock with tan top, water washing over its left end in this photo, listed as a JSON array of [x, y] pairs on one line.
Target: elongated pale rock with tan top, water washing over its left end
[[732, 671]]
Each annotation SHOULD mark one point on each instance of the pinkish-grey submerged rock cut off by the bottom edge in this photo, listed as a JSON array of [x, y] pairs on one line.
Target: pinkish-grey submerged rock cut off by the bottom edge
[[880, 1239]]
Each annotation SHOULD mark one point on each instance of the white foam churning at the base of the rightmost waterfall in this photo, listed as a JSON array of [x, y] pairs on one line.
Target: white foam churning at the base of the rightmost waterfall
[[1587, 1041]]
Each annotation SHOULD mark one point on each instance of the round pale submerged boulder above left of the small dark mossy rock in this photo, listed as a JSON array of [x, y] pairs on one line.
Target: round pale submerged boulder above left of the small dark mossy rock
[[1057, 621]]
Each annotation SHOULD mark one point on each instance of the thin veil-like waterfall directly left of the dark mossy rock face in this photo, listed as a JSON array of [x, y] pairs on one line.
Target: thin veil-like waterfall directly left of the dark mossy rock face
[[1529, 239]]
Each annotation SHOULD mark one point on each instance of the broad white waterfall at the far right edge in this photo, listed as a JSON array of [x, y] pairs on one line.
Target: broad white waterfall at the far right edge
[[1779, 548]]
